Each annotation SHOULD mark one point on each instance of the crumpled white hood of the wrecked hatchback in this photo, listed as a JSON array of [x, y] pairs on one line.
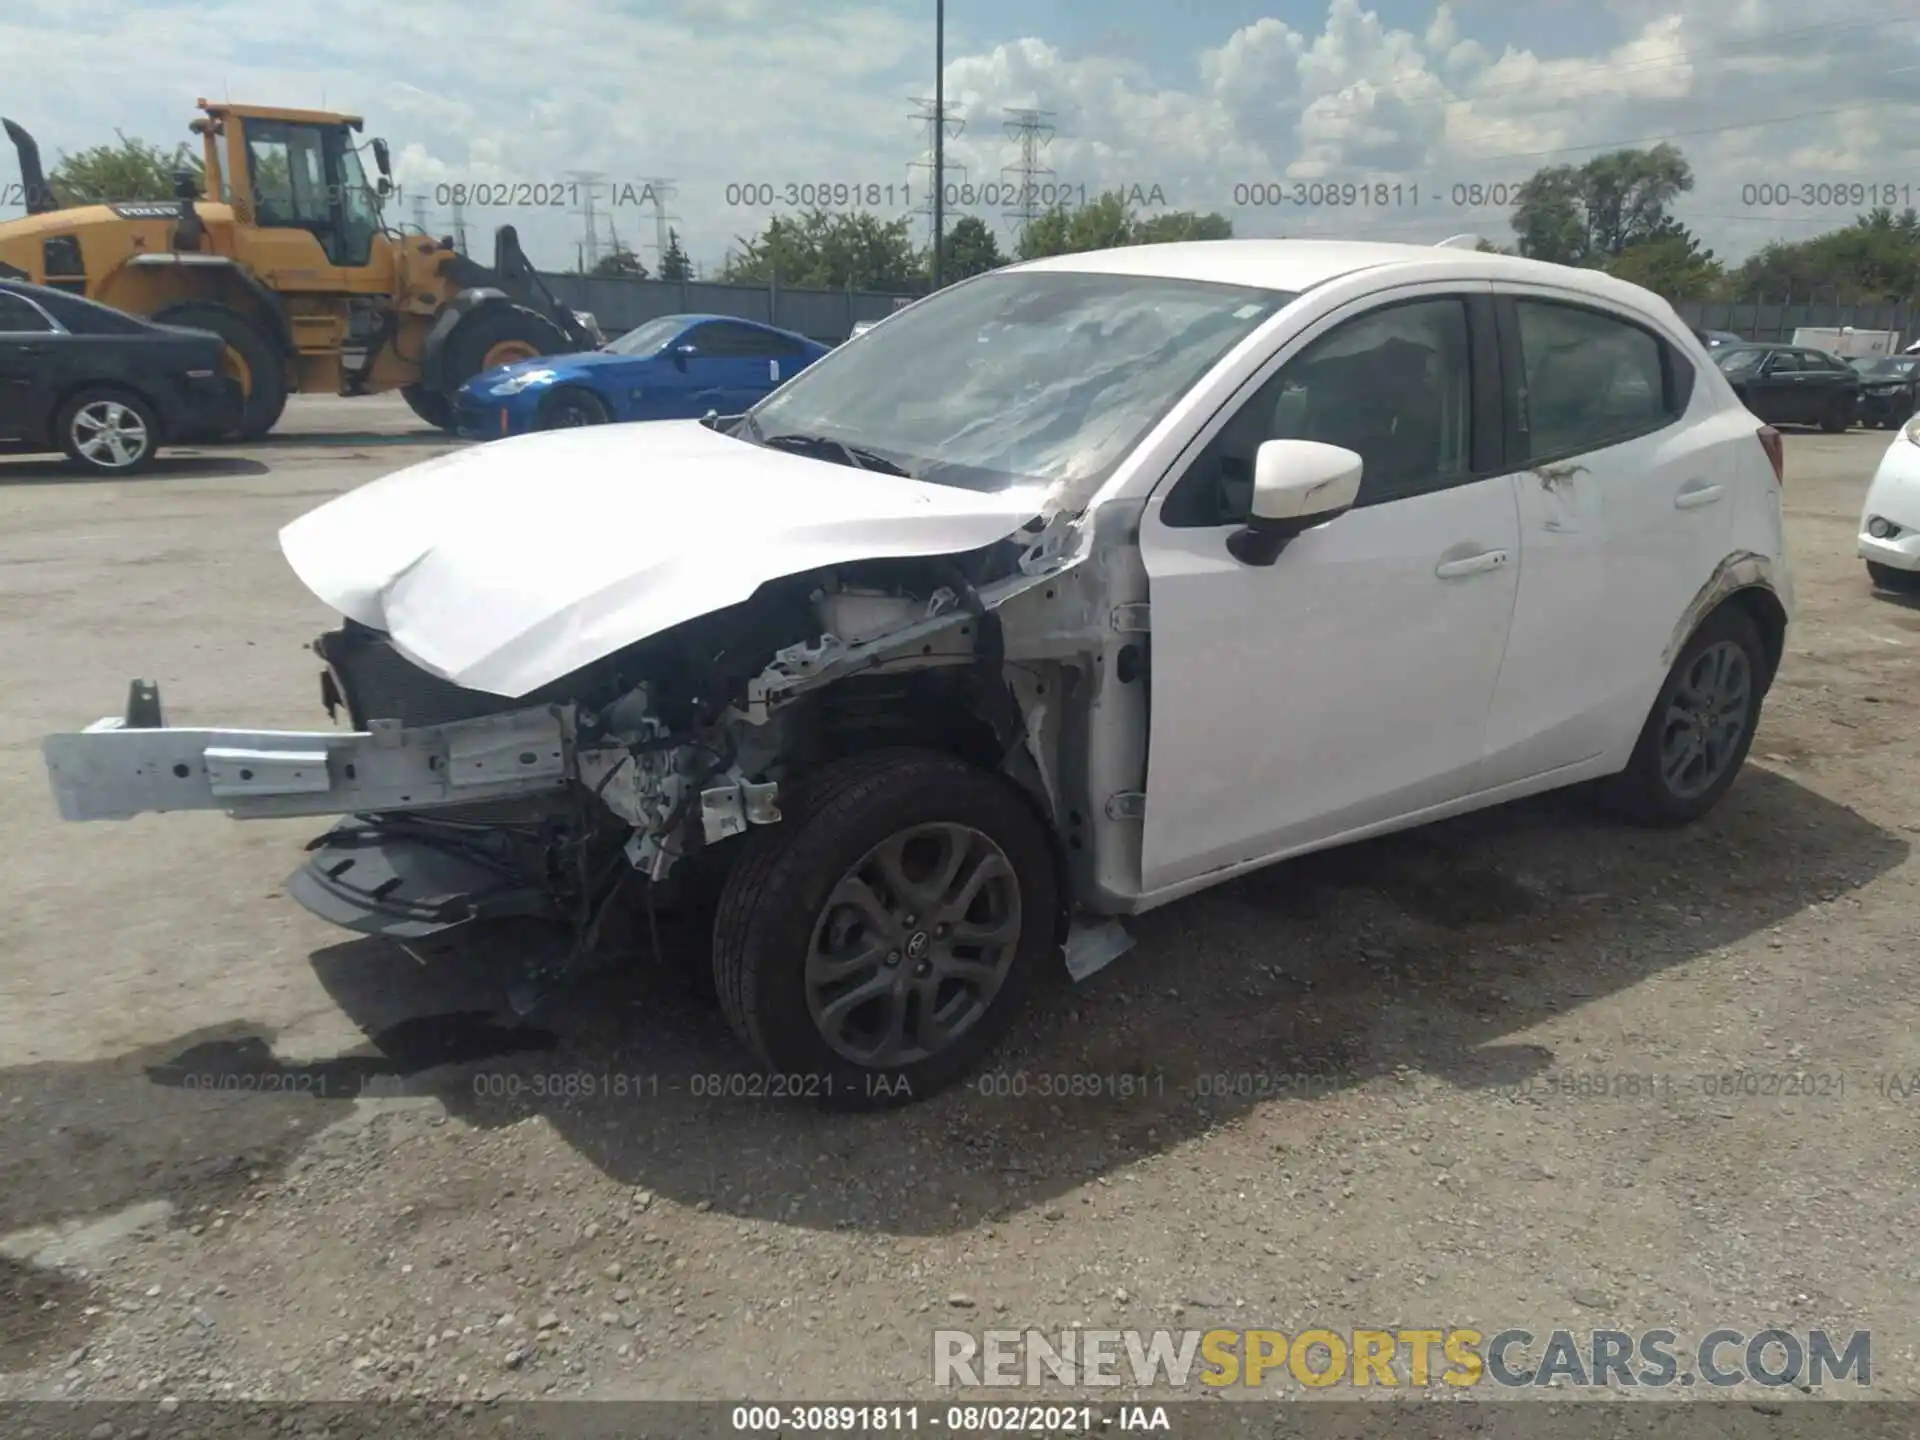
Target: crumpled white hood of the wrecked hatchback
[[510, 565]]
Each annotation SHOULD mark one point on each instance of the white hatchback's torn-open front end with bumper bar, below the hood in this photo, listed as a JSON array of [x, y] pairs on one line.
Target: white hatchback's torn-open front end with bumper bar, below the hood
[[621, 786]]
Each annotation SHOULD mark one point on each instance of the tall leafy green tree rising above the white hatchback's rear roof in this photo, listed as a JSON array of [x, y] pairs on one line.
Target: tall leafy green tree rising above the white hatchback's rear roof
[[1595, 212]]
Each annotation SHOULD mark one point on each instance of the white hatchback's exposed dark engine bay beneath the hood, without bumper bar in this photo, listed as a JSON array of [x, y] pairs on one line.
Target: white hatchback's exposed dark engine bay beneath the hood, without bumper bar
[[681, 744]]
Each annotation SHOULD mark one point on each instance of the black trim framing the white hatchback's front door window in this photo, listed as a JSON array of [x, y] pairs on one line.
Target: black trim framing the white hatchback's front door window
[[1487, 454]]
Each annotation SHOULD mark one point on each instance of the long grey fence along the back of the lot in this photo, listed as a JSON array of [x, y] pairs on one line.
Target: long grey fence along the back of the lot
[[828, 316]]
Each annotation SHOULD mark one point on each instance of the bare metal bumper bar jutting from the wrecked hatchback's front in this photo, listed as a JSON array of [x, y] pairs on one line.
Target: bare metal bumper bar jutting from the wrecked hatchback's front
[[132, 765]]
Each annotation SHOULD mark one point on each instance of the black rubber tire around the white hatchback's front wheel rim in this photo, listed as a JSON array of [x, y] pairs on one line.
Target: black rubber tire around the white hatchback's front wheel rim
[[777, 901]]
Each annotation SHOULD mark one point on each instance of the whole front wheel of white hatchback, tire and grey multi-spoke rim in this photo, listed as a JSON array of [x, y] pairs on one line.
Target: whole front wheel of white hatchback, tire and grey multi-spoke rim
[[876, 944]]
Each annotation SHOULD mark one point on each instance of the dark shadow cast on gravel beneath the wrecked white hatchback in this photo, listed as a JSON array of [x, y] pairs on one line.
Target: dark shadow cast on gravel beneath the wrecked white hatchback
[[1414, 953]]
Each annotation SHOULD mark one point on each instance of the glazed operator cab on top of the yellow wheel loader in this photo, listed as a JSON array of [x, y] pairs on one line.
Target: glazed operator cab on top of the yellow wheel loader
[[291, 170]]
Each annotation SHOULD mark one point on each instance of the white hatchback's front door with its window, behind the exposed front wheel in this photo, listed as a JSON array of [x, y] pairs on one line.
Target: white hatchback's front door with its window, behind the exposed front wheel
[[1345, 686]]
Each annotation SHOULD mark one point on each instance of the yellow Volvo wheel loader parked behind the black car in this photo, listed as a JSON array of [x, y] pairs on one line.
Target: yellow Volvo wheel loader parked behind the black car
[[285, 252]]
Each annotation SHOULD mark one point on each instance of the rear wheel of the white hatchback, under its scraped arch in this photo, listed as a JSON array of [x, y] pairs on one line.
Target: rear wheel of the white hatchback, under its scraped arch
[[1702, 727]]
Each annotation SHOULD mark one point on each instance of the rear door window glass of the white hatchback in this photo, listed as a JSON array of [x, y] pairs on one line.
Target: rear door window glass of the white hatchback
[[1593, 379]]
